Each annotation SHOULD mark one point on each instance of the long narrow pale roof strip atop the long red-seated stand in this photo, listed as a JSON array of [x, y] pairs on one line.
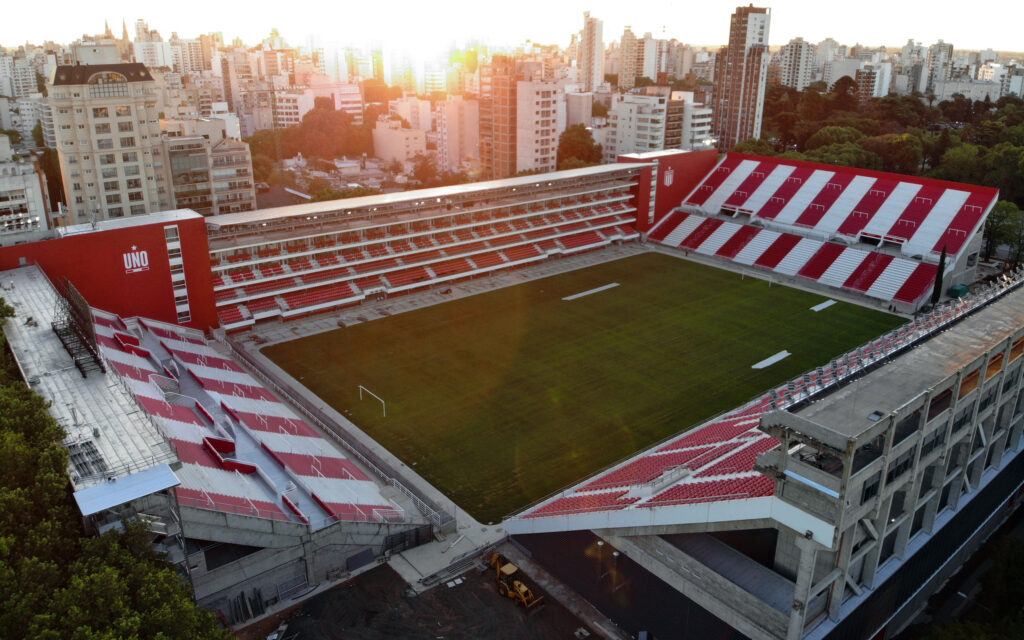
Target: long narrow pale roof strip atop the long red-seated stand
[[262, 216]]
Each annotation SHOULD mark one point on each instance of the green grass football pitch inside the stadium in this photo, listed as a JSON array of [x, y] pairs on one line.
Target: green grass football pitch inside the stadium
[[503, 398]]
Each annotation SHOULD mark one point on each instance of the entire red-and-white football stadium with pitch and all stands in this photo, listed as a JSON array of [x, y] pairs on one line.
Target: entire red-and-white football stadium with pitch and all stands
[[716, 382]]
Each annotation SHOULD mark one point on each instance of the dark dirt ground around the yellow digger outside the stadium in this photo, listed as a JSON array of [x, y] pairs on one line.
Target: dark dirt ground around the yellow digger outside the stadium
[[377, 605]]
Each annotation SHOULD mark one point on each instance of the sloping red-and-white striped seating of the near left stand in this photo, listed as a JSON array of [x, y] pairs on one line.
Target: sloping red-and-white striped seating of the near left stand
[[237, 443]]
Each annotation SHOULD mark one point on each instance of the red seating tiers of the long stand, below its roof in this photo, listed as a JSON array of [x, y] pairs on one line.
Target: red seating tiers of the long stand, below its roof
[[443, 249]]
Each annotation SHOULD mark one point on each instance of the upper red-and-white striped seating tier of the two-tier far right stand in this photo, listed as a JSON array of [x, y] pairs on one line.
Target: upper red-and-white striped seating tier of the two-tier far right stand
[[922, 216]]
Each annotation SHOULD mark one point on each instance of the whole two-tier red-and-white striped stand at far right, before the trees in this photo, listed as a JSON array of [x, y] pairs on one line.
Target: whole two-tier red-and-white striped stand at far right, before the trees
[[869, 234]]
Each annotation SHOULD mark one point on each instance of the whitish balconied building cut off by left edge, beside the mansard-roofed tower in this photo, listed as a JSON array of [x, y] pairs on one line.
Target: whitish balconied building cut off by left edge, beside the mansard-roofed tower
[[24, 206]]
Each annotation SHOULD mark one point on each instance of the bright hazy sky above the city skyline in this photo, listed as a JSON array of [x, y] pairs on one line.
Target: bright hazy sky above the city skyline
[[436, 25]]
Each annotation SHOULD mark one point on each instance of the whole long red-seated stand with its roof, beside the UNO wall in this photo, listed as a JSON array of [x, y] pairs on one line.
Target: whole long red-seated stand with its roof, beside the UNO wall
[[298, 261]]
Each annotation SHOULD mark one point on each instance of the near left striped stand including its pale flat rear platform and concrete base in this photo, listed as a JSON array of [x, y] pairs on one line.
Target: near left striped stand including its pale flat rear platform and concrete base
[[181, 437]]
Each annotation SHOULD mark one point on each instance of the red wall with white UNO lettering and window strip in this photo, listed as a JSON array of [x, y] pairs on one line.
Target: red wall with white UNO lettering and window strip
[[95, 263]]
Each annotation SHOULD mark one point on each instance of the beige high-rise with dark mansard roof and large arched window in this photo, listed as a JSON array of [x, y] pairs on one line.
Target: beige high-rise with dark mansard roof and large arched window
[[108, 136]]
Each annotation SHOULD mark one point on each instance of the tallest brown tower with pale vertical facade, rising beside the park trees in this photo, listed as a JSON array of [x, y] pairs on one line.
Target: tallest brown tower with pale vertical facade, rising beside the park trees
[[741, 74]]
